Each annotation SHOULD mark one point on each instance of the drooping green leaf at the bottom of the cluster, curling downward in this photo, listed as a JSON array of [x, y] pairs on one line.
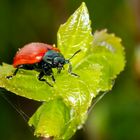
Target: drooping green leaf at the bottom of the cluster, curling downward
[[51, 119]]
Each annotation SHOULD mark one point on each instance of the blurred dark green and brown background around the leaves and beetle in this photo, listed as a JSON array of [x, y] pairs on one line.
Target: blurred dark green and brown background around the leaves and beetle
[[117, 115]]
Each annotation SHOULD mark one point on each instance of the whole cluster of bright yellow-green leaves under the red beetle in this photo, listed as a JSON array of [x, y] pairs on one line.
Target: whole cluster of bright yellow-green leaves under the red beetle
[[66, 104]]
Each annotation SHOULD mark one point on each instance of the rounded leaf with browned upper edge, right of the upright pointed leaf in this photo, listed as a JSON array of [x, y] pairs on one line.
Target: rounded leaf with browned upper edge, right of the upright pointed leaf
[[109, 53]]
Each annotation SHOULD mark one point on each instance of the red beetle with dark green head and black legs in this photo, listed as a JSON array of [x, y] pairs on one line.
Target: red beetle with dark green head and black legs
[[41, 57]]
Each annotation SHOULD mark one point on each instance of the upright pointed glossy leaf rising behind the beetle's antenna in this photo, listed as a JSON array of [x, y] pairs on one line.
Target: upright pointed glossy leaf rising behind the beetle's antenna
[[75, 34]]
